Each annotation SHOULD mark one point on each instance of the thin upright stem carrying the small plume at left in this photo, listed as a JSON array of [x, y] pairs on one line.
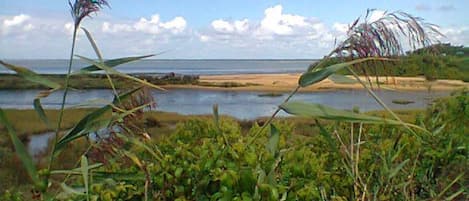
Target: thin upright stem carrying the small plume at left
[[64, 97]]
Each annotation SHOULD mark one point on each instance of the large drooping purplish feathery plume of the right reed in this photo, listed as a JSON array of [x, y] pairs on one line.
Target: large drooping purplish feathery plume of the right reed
[[385, 36]]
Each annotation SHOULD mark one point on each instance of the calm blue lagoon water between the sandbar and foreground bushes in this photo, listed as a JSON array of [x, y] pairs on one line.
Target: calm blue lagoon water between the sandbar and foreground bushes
[[242, 105]]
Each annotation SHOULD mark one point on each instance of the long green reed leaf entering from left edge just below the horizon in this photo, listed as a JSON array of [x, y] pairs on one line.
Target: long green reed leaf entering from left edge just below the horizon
[[31, 75]]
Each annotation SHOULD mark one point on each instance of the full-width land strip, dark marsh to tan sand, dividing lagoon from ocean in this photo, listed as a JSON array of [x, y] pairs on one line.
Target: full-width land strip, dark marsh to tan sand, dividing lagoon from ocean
[[265, 82]]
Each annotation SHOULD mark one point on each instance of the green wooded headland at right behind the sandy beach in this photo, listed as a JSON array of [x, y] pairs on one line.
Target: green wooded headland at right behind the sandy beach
[[441, 61]]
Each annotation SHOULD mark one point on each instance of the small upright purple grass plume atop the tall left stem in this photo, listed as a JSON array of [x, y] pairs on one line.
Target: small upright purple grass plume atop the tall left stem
[[83, 8]]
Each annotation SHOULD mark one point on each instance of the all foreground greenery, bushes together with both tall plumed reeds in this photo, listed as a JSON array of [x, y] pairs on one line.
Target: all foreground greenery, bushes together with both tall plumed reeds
[[340, 155]]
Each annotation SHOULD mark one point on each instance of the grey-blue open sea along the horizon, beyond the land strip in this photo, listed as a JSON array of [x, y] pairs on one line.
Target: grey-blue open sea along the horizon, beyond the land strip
[[187, 67]]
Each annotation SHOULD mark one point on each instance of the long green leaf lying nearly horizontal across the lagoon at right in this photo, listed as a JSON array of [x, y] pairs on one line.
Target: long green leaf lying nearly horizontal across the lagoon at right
[[324, 112]]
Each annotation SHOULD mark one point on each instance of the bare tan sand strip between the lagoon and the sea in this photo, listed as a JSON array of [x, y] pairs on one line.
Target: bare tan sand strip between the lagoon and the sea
[[286, 82]]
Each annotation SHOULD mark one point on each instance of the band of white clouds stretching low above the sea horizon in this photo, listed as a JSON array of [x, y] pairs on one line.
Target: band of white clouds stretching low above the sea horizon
[[277, 34]]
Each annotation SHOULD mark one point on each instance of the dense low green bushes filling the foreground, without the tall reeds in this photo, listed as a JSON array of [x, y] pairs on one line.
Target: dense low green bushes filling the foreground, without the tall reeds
[[302, 159]]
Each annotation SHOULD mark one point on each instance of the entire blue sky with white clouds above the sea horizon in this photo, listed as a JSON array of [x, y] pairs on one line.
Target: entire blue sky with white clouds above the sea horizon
[[203, 29]]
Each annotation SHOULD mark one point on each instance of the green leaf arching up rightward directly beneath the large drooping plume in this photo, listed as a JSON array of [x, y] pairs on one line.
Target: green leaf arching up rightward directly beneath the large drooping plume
[[312, 77]]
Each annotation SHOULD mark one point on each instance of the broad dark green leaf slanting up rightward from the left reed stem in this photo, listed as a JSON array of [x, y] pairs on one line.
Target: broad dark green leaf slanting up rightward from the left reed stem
[[90, 122]]
